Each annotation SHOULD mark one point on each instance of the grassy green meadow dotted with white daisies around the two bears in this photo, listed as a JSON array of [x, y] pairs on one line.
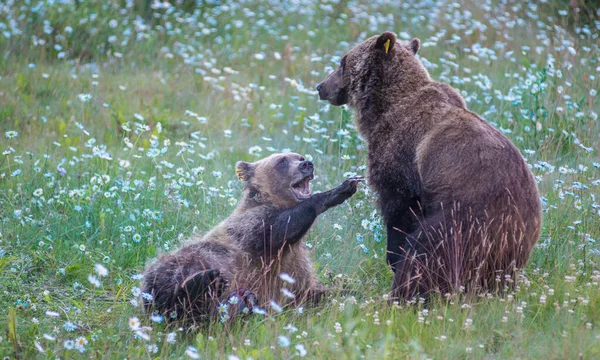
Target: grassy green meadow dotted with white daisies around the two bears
[[121, 122]]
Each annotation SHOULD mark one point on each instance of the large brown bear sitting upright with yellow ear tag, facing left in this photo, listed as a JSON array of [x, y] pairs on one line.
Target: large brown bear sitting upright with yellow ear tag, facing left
[[461, 206]]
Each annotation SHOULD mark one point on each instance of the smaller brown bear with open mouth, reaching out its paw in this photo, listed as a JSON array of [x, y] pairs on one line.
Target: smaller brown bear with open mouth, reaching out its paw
[[256, 252]]
